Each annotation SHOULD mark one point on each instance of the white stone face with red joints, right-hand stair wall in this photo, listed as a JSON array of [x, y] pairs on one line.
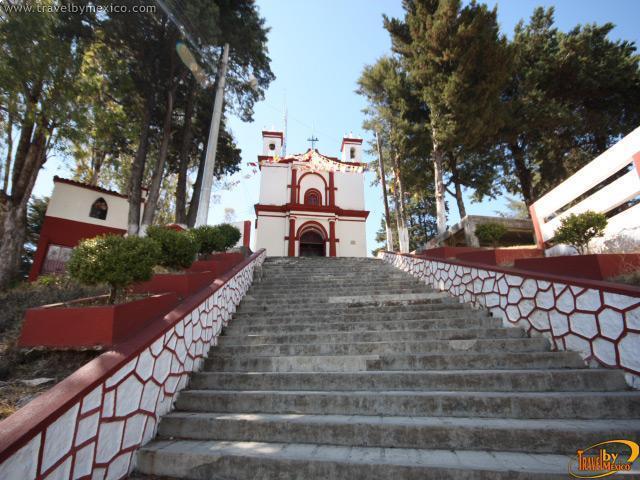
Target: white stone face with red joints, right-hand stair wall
[[604, 327]]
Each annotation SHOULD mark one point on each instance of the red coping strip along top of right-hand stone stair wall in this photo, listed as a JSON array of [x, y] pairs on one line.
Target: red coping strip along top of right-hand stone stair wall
[[629, 290]]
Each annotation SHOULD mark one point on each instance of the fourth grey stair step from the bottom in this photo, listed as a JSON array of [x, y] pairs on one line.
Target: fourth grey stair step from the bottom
[[452, 380]]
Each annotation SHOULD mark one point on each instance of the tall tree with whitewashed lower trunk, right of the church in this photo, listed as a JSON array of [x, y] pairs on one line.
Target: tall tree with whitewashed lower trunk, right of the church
[[460, 62]]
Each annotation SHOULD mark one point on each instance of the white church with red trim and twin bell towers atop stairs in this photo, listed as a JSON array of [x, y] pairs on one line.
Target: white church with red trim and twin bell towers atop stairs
[[311, 204]]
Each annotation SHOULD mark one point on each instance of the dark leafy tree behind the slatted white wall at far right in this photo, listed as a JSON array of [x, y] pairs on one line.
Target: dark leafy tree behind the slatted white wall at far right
[[570, 97]]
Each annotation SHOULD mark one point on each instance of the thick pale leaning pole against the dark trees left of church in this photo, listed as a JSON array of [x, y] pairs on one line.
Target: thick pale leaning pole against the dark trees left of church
[[212, 143]]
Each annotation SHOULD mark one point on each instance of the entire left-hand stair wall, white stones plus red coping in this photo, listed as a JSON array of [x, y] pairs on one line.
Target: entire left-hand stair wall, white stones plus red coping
[[90, 425]]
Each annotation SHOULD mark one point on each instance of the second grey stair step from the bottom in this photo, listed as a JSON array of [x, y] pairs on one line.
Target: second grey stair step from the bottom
[[507, 435]]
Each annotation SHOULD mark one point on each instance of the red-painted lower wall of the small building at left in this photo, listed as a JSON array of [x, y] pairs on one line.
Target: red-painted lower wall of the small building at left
[[65, 233]]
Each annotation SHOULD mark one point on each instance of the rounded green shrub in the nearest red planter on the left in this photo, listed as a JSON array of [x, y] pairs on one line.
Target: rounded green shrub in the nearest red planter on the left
[[114, 260]]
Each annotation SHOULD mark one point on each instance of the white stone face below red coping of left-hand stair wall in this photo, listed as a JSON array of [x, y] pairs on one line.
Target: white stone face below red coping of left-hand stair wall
[[97, 437]]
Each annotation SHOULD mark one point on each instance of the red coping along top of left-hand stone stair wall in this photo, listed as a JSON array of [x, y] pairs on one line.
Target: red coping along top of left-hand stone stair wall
[[32, 419]]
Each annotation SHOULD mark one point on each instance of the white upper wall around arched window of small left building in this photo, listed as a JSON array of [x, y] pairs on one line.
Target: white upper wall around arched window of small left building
[[72, 202]]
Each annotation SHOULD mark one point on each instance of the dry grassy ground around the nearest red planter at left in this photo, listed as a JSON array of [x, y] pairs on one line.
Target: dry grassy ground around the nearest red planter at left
[[20, 364]]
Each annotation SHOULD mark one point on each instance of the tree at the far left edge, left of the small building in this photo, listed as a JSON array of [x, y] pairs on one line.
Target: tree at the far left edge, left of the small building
[[39, 66]]
